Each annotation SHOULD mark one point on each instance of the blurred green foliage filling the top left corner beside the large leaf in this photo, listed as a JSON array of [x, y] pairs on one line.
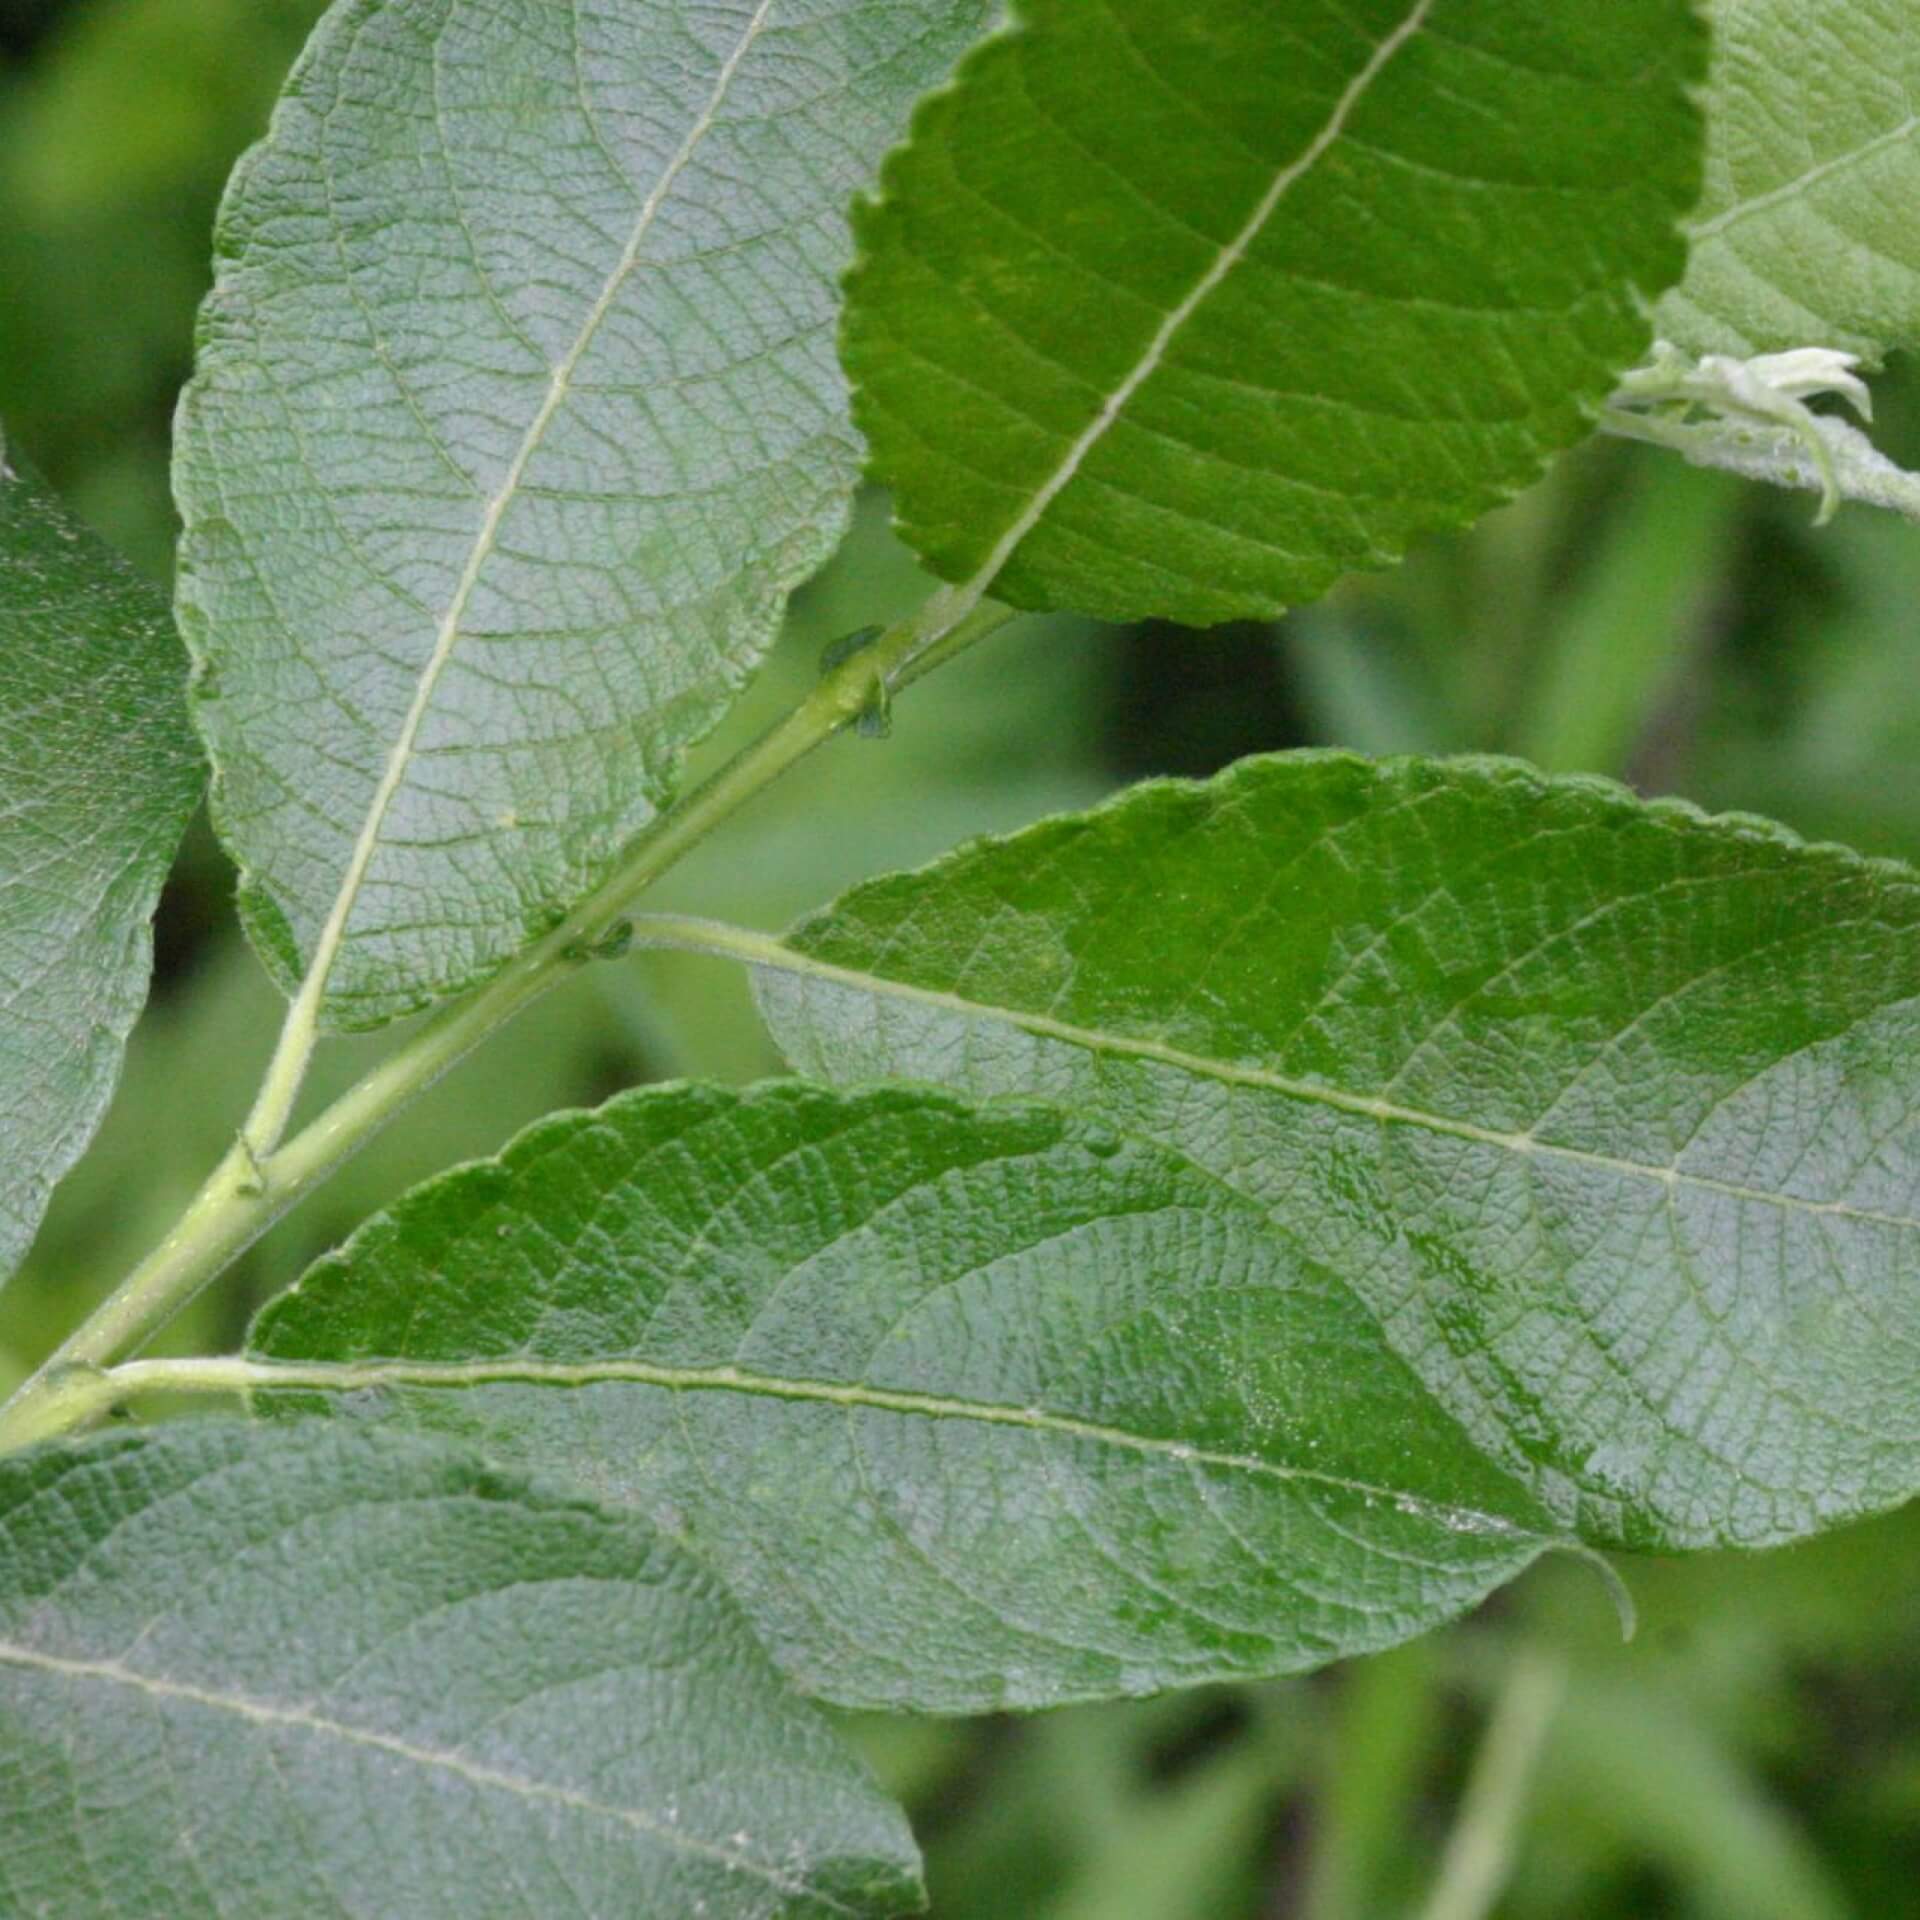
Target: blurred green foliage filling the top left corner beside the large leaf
[[118, 126]]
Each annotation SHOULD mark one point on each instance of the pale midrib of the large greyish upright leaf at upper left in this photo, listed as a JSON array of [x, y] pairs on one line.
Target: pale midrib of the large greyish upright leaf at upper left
[[333, 934]]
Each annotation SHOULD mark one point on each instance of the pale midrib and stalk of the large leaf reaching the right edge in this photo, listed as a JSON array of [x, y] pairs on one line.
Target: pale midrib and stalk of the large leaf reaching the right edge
[[757, 949]]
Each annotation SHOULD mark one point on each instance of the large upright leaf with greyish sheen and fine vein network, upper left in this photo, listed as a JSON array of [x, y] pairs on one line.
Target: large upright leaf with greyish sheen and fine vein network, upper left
[[516, 423]]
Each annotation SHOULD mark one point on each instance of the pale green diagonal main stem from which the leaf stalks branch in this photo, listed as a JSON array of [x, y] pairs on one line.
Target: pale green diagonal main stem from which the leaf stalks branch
[[249, 1191]]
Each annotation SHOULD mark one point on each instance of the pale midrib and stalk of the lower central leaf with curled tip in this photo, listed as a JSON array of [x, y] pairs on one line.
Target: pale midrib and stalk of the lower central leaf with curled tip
[[857, 1397]]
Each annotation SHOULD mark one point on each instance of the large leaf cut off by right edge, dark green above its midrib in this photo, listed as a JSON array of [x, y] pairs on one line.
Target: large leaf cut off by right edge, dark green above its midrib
[[1606, 1111]]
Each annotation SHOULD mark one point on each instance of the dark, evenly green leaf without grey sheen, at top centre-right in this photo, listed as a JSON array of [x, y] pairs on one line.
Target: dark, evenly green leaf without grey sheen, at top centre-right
[[1188, 310]]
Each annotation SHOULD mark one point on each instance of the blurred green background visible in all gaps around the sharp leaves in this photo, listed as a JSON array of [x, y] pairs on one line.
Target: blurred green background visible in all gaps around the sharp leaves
[[1756, 1752]]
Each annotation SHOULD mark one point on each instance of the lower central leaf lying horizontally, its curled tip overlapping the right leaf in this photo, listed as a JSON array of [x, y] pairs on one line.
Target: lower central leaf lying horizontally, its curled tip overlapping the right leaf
[[971, 1408]]
